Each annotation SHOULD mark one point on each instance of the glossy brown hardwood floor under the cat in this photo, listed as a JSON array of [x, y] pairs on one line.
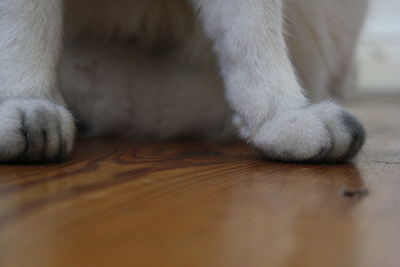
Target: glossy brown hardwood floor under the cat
[[118, 203]]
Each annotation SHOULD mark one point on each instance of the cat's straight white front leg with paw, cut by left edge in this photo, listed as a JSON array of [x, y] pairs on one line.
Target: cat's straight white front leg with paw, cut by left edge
[[34, 124]]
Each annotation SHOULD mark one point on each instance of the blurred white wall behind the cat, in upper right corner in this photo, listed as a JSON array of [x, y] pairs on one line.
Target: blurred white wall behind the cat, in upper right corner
[[378, 56]]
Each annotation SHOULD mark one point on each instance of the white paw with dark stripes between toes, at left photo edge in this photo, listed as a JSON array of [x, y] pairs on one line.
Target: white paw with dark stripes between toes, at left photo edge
[[34, 130]]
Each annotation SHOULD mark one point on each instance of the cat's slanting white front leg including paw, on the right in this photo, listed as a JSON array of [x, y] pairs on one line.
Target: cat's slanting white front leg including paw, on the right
[[271, 111]]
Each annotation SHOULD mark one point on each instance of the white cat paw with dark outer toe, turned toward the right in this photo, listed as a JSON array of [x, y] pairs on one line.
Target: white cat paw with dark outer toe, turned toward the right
[[322, 132]]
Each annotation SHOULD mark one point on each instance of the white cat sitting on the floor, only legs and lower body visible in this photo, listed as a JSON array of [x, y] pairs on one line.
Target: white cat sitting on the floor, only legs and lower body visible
[[161, 69]]
